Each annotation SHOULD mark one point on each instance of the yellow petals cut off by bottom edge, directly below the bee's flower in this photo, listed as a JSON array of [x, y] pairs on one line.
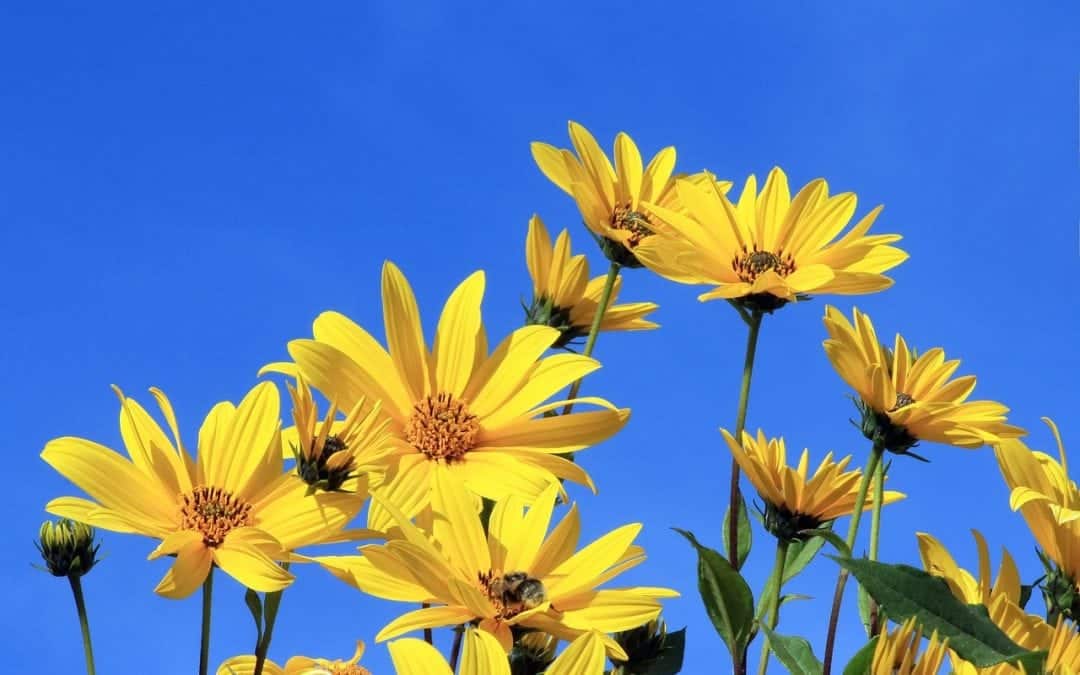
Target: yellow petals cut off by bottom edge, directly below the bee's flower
[[484, 656]]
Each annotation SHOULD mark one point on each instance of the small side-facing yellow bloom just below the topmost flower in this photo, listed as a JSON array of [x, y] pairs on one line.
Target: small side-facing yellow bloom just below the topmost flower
[[563, 295]]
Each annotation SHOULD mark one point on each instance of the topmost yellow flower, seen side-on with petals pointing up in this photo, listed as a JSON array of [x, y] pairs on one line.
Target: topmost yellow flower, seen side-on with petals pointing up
[[612, 200]]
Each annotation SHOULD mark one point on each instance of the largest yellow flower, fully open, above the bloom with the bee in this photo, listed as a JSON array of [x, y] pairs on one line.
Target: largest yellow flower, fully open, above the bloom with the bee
[[456, 409]]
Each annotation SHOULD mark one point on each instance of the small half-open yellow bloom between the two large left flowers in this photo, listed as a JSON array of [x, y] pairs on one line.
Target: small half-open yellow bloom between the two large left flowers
[[332, 454]]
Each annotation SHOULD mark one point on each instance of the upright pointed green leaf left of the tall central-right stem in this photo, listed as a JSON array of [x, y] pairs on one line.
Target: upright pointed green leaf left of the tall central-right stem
[[728, 600]]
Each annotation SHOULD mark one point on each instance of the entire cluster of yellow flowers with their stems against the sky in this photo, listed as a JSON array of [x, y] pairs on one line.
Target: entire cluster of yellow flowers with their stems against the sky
[[460, 452]]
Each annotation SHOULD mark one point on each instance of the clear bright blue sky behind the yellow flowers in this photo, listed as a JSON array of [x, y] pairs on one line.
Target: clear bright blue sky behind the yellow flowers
[[184, 188]]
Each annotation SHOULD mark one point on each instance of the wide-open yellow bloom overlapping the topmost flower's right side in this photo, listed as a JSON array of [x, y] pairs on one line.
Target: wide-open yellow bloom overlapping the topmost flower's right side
[[769, 249]]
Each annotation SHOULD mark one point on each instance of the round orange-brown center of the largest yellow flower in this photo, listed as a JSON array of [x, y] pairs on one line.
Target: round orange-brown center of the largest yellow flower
[[442, 428]]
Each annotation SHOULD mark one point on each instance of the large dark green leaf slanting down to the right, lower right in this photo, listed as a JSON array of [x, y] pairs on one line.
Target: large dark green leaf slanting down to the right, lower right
[[903, 592]]
